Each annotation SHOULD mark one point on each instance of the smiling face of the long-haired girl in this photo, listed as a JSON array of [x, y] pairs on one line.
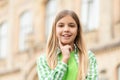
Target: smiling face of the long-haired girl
[[66, 30]]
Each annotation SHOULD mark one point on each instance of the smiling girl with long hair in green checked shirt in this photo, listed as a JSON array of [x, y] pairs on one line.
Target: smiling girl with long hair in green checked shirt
[[66, 56]]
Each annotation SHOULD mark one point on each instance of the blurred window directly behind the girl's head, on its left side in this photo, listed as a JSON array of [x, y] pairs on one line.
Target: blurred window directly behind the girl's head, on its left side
[[51, 11]]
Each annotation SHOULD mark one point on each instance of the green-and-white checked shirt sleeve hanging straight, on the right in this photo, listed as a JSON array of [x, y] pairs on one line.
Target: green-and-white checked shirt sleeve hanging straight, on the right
[[92, 71]]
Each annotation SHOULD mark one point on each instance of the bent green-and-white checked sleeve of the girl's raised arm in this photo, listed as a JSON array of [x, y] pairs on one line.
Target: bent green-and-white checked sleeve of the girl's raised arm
[[45, 73]]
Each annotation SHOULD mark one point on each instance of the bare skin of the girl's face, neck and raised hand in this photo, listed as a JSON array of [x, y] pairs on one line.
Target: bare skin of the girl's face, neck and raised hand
[[66, 32]]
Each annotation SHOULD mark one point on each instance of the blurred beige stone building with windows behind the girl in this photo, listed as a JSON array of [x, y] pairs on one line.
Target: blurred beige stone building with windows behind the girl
[[26, 24]]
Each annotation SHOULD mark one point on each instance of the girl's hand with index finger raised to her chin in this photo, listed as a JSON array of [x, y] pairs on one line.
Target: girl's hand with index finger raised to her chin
[[65, 49]]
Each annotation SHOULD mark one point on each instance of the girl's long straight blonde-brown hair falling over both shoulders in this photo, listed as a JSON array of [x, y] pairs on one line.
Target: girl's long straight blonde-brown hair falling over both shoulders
[[53, 41]]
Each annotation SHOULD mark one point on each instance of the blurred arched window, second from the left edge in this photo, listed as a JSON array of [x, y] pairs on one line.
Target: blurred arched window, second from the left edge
[[26, 27]]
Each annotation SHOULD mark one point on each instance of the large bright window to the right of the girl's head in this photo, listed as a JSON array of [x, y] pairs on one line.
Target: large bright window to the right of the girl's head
[[90, 14]]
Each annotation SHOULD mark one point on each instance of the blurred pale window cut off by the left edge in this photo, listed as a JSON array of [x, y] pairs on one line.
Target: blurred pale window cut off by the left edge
[[3, 39]]
